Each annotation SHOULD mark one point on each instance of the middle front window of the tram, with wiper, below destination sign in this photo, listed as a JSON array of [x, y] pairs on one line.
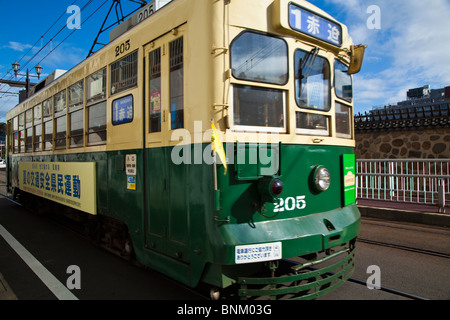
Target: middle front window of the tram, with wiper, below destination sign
[[312, 81]]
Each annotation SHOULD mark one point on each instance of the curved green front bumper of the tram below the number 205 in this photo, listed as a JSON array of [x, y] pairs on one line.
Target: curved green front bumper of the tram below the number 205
[[299, 236]]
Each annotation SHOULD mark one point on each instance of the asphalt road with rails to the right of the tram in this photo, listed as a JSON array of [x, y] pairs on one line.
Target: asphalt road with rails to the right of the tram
[[415, 273]]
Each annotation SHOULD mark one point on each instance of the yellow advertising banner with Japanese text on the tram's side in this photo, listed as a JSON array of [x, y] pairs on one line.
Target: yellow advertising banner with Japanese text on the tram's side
[[70, 183]]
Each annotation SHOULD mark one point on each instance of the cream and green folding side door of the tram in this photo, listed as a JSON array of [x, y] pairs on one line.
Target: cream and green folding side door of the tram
[[166, 201]]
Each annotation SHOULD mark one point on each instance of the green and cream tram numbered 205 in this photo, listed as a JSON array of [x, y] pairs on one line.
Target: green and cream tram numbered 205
[[124, 139]]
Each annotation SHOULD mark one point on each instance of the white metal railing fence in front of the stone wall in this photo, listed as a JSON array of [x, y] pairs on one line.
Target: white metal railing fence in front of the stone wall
[[416, 181]]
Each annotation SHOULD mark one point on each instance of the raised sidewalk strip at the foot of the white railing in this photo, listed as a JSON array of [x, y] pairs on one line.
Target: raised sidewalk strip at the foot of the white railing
[[406, 212]]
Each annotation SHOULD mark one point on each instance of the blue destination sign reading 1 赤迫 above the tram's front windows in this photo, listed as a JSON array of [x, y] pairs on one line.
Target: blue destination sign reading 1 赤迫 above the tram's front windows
[[314, 25]]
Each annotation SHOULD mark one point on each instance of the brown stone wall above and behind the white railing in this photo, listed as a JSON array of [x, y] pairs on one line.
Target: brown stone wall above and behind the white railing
[[432, 143]]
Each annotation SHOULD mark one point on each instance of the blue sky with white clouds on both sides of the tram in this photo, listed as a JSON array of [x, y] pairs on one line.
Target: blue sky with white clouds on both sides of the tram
[[409, 44]]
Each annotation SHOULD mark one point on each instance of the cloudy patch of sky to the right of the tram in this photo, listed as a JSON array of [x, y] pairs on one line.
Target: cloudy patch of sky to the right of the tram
[[410, 50]]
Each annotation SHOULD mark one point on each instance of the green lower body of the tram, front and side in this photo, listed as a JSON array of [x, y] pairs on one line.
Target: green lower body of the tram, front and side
[[190, 228]]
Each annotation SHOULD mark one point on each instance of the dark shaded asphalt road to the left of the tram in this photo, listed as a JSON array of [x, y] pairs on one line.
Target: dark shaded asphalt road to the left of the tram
[[103, 276]]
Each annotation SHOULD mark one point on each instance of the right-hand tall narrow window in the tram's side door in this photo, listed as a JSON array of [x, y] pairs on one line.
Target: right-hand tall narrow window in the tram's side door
[[176, 84]]
